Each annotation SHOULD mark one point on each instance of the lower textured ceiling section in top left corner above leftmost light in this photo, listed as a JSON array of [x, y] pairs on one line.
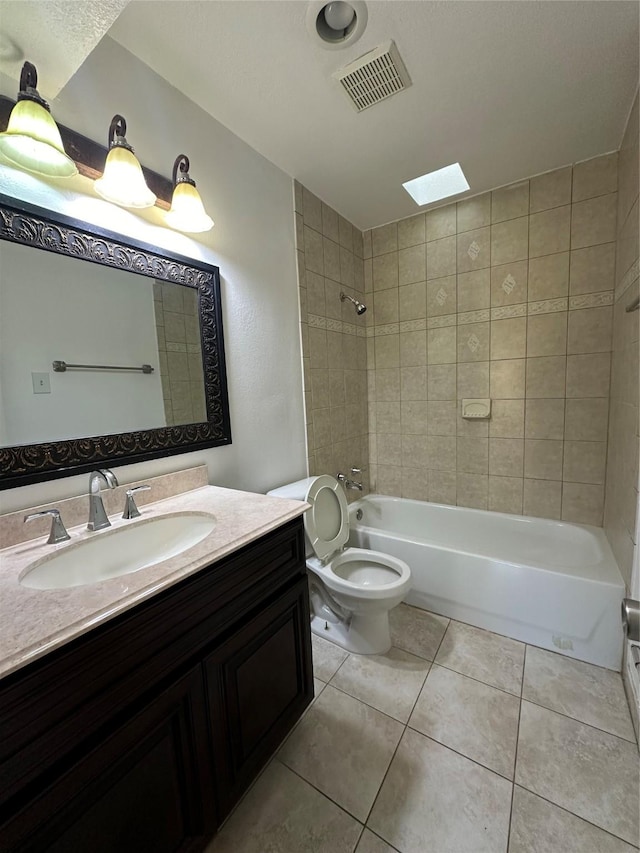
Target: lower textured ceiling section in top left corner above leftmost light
[[56, 35]]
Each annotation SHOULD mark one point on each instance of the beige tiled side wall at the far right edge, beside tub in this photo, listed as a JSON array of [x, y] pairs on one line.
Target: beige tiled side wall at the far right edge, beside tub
[[622, 463]]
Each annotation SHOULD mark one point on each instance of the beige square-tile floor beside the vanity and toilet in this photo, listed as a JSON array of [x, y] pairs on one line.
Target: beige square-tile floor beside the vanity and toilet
[[456, 740]]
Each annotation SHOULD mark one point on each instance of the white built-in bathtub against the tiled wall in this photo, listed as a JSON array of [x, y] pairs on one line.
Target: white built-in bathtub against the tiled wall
[[548, 583]]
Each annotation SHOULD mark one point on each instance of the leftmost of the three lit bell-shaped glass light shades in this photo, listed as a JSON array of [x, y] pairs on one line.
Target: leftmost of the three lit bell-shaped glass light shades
[[32, 141]]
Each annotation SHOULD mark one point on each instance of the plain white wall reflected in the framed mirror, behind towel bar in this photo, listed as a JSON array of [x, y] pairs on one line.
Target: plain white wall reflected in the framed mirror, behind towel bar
[[57, 308]]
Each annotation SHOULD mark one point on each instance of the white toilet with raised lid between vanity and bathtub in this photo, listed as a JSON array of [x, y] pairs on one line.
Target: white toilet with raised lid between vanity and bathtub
[[351, 589]]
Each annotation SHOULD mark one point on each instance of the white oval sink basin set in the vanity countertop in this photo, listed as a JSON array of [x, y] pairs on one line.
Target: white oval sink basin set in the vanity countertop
[[119, 552]]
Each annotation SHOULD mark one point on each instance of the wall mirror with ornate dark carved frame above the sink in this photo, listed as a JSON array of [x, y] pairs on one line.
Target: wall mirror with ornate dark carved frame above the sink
[[111, 351]]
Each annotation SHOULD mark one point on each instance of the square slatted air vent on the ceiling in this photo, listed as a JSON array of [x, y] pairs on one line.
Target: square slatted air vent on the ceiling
[[373, 77]]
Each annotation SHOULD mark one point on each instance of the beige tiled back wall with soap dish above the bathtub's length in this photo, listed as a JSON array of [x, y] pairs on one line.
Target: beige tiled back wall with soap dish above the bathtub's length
[[507, 295]]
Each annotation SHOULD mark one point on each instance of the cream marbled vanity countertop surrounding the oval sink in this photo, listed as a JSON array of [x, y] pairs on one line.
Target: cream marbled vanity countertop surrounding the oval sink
[[34, 622]]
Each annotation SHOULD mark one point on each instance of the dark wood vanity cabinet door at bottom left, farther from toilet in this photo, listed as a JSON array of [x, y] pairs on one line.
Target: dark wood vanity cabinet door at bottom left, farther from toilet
[[146, 788]]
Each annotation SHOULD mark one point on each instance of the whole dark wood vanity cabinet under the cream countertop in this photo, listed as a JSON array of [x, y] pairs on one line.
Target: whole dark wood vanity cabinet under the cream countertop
[[142, 734]]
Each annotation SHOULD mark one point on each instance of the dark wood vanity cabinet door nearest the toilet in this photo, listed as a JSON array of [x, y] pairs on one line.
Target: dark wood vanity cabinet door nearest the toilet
[[258, 683]]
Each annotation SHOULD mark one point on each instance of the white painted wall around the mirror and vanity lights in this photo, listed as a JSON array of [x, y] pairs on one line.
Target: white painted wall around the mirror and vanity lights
[[253, 244]]
